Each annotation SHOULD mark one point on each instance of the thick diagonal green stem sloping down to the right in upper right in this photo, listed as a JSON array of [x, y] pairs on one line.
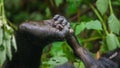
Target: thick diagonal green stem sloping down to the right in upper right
[[100, 18]]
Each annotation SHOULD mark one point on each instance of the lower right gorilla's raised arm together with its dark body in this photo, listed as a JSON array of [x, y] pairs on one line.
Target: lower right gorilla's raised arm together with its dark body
[[110, 61]]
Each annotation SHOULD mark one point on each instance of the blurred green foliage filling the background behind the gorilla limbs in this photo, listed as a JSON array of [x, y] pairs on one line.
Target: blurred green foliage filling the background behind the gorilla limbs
[[96, 24]]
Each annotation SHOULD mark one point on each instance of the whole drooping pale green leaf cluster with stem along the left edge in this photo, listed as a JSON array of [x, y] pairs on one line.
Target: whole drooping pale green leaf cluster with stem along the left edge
[[7, 38]]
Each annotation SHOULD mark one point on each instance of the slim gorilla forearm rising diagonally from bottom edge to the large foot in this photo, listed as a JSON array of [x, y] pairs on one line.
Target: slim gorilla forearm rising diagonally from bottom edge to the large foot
[[81, 52]]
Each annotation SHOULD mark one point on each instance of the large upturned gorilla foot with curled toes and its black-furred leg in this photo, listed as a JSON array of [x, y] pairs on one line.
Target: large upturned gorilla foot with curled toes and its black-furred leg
[[32, 37]]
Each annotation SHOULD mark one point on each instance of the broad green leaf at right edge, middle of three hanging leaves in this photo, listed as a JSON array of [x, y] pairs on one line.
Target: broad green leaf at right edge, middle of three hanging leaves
[[114, 24]]
